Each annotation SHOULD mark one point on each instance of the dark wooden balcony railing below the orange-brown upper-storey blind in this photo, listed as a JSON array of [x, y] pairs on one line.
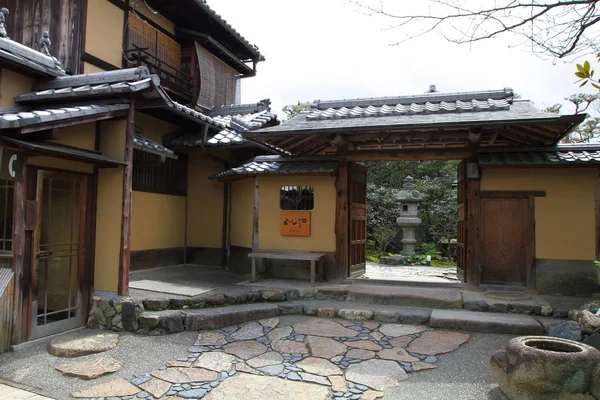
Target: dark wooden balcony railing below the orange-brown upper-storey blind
[[171, 77]]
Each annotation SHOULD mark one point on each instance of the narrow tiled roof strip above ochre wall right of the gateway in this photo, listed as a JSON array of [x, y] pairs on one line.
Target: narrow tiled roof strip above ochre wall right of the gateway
[[560, 155]]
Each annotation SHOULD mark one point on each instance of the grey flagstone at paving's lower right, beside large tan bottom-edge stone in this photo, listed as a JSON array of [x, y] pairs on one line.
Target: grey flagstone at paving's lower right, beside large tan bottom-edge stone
[[377, 374]]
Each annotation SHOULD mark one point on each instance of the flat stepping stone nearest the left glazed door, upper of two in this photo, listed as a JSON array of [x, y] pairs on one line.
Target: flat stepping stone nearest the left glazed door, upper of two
[[81, 344]]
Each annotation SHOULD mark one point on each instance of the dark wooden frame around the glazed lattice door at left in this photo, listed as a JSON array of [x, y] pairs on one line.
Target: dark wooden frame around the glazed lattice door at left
[[86, 275]]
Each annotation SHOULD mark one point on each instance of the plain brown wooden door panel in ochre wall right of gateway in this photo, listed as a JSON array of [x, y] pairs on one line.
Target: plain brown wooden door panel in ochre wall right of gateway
[[507, 240]]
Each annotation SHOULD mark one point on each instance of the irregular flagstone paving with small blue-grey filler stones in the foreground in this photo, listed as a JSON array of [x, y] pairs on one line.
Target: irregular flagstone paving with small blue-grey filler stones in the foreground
[[290, 357]]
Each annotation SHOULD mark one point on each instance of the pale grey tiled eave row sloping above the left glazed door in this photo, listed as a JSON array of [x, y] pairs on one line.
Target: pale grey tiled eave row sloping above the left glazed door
[[14, 118]]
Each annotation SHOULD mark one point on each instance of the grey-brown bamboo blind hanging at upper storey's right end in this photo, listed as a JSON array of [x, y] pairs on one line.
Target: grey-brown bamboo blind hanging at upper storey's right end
[[218, 81]]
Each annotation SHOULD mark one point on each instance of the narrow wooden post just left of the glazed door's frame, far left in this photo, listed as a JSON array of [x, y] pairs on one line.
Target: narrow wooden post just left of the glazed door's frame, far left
[[18, 262]]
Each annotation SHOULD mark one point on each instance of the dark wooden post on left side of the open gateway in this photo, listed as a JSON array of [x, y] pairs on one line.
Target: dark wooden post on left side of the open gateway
[[341, 221]]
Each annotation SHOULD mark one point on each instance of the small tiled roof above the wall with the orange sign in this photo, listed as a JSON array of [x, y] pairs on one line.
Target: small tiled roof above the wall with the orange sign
[[273, 165]]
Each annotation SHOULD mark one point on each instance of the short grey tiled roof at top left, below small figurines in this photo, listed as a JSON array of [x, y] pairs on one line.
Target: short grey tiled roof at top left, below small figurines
[[27, 57]]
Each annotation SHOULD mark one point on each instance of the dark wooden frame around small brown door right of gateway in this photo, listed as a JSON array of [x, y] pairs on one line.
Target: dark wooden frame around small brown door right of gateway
[[529, 196]]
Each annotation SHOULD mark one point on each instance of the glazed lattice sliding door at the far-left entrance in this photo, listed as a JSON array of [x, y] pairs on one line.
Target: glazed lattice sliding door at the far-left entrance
[[58, 253]]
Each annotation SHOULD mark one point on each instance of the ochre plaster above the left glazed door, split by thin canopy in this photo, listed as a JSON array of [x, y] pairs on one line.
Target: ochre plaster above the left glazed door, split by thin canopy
[[82, 136]]
